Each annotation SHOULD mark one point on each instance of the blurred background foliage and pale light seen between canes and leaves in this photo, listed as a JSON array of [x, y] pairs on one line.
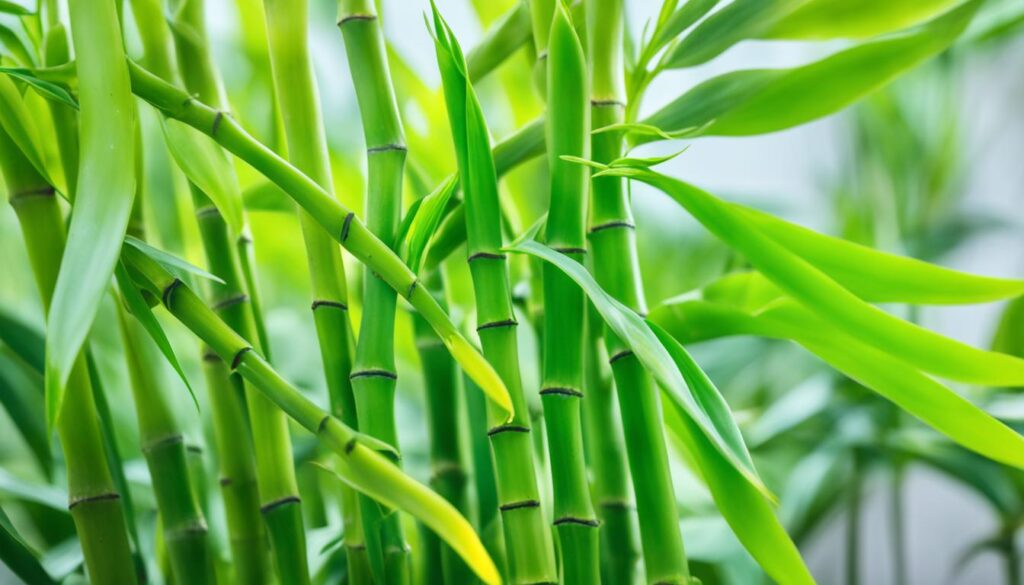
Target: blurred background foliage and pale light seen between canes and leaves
[[905, 163]]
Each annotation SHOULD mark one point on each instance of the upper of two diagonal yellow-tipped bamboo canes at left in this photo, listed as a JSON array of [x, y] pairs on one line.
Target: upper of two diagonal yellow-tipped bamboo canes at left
[[329, 213]]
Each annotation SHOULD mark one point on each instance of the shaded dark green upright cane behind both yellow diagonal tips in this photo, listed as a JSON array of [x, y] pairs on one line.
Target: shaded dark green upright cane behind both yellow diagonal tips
[[445, 421]]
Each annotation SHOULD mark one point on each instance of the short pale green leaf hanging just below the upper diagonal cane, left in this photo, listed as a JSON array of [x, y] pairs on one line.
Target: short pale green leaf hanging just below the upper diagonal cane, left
[[206, 165]]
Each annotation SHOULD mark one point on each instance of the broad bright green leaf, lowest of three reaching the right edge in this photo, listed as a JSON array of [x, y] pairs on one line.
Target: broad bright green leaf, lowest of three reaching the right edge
[[894, 380]]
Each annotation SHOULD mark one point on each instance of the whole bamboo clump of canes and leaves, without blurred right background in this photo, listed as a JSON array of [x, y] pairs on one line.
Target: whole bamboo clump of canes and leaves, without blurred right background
[[497, 282]]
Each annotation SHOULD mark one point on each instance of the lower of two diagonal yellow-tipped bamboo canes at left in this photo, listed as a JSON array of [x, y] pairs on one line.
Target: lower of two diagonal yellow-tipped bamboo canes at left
[[360, 461]]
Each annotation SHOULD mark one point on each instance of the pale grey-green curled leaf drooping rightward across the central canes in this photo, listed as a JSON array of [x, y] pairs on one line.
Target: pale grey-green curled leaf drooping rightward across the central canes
[[657, 360]]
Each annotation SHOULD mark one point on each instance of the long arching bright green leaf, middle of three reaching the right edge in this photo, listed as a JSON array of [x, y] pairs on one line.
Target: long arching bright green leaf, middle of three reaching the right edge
[[921, 348]]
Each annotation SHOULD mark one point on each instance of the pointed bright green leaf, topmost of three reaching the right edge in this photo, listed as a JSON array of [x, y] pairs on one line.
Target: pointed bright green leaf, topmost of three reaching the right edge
[[879, 277]]
